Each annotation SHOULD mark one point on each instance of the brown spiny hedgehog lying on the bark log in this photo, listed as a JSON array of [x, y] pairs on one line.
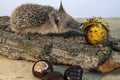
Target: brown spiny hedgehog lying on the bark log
[[43, 19]]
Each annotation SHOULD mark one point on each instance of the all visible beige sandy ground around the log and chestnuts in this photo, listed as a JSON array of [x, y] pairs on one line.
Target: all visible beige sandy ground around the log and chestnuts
[[22, 70]]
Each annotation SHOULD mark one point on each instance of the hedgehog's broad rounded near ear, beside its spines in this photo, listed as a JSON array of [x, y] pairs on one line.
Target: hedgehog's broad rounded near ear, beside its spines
[[54, 19]]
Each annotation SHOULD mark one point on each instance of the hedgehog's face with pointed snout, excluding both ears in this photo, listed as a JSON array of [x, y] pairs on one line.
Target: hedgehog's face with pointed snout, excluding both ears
[[67, 23]]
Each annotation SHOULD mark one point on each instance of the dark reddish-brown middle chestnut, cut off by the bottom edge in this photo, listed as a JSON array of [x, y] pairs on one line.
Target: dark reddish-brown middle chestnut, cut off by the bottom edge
[[54, 75]]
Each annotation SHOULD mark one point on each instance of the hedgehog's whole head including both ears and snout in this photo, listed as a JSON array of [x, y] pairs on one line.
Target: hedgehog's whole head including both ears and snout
[[63, 22]]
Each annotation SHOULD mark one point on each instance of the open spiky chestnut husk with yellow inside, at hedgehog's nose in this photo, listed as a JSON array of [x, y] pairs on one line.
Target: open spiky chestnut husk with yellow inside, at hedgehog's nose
[[96, 31]]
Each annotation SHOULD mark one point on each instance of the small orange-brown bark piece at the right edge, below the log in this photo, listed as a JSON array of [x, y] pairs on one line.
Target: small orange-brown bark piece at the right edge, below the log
[[112, 64]]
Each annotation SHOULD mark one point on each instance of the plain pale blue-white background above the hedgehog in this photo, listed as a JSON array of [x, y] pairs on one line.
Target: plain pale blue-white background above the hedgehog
[[76, 8]]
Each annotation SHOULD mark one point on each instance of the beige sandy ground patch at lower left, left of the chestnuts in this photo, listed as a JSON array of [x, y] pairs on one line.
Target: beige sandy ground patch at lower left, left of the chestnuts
[[15, 70]]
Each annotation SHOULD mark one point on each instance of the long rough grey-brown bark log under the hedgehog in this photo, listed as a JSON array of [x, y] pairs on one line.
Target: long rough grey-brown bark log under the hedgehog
[[67, 49]]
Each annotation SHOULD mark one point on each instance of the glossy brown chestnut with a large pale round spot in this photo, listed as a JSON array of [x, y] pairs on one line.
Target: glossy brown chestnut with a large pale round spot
[[41, 68]]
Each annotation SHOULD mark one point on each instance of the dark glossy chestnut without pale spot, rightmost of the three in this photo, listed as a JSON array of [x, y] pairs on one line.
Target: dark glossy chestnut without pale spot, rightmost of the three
[[74, 72]]
